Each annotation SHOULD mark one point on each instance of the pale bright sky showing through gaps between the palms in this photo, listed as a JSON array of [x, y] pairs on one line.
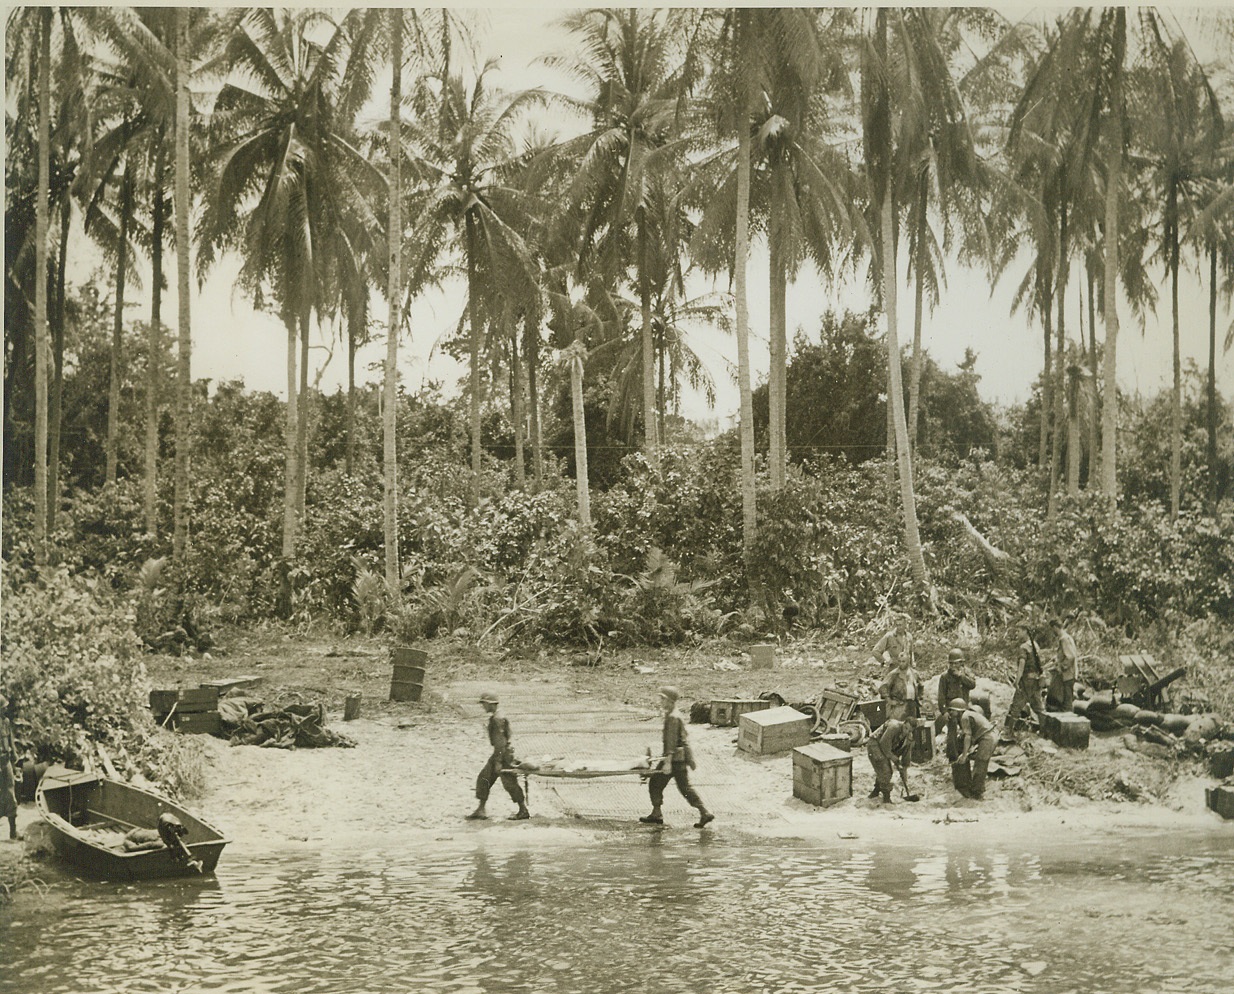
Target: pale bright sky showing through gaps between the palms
[[231, 341]]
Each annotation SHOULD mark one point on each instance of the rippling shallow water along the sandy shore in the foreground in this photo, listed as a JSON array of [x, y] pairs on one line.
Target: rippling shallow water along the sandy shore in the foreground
[[651, 912]]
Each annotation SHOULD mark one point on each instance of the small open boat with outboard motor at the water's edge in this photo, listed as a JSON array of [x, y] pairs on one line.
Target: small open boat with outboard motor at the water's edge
[[91, 816]]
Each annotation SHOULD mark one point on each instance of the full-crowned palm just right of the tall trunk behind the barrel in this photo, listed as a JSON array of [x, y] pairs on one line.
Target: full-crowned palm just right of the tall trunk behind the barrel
[[470, 162]]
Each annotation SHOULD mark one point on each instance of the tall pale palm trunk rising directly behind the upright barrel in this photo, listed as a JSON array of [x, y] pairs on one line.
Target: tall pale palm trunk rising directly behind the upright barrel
[[391, 390]]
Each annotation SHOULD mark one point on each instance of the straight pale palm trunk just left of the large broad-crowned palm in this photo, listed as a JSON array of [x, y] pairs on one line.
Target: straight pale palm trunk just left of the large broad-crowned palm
[[184, 340]]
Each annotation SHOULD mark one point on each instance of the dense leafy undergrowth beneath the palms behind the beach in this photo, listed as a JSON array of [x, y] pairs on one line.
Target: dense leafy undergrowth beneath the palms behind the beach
[[662, 567]]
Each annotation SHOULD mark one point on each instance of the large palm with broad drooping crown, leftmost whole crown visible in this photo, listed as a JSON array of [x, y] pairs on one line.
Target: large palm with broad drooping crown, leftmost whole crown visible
[[288, 172]]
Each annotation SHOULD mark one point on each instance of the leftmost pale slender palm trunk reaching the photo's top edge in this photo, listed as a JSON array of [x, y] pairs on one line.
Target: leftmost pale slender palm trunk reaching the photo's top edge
[[45, 141]]
